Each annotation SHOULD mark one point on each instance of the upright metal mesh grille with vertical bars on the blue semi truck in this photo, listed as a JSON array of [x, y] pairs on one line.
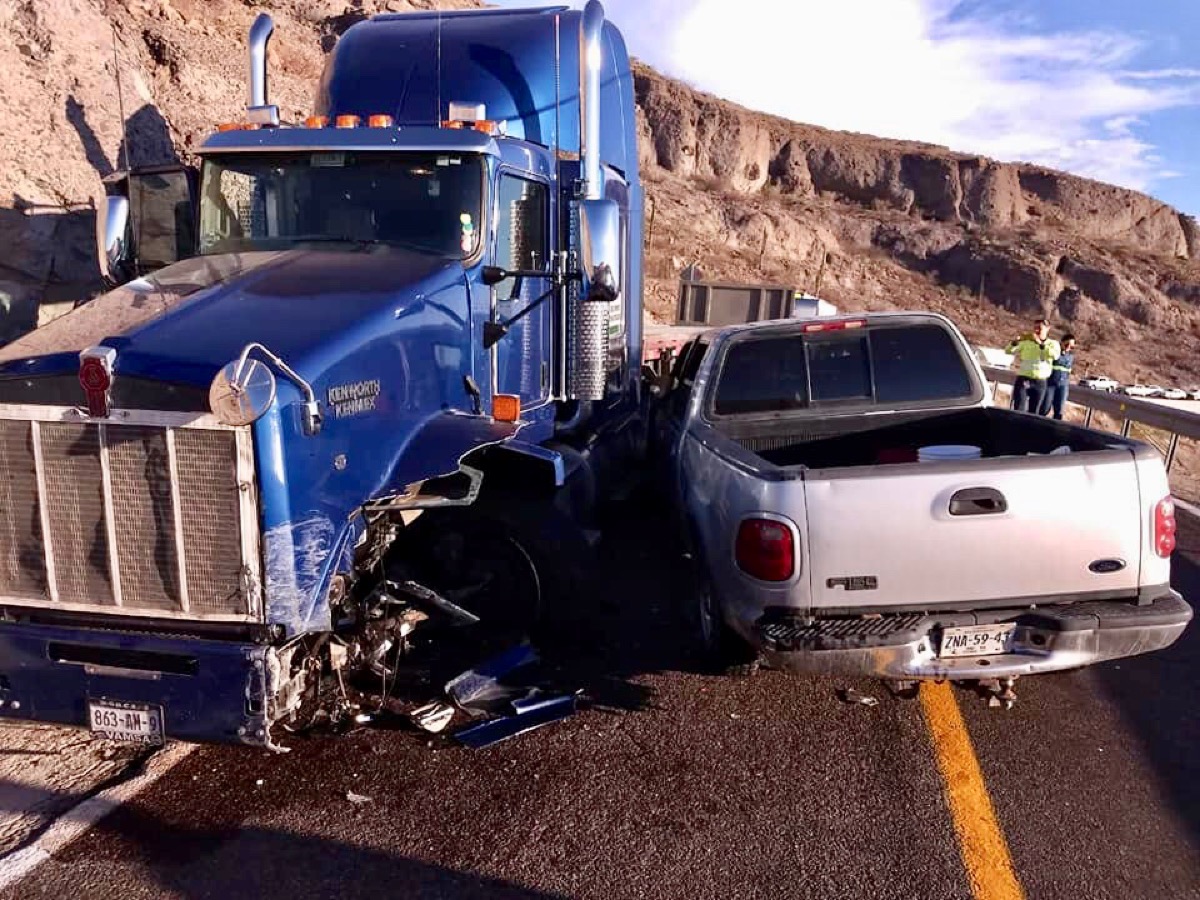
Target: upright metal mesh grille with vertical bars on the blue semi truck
[[136, 519]]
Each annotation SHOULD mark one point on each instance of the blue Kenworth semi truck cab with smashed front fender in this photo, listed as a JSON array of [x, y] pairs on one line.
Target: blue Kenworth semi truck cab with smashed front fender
[[375, 401]]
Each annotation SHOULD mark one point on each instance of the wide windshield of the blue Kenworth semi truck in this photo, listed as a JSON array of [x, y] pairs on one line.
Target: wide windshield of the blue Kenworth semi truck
[[428, 202]]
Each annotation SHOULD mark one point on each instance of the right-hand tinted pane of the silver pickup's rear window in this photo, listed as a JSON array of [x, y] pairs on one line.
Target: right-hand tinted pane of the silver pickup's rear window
[[917, 363]]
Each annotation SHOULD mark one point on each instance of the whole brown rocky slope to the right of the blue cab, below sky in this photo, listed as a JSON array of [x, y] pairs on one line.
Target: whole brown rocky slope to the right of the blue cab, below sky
[[874, 224]]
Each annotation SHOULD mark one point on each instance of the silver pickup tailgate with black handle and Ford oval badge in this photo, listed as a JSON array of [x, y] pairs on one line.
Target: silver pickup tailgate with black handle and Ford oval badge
[[947, 535]]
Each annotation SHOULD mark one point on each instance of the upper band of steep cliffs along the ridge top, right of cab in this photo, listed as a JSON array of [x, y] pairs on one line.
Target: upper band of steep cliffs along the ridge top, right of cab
[[697, 135]]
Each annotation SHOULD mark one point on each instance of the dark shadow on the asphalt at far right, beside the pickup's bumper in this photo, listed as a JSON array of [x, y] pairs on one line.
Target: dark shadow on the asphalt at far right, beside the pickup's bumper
[[1157, 699]]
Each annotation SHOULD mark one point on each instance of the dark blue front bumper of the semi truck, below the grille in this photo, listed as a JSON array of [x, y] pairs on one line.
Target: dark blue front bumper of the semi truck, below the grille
[[208, 691]]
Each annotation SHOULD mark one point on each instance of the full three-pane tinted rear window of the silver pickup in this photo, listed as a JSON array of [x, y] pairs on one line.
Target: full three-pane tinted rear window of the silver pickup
[[886, 365]]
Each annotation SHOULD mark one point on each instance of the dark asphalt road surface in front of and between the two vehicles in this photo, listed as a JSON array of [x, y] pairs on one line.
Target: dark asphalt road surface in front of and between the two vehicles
[[683, 785]]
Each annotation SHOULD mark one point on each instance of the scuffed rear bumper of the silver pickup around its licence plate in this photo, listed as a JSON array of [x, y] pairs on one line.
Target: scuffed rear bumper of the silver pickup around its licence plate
[[905, 646]]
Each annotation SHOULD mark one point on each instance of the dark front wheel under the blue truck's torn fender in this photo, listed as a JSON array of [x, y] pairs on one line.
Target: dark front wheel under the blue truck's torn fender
[[518, 563]]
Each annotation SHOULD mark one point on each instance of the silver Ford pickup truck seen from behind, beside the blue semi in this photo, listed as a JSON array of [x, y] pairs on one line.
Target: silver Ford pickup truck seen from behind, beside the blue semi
[[856, 506]]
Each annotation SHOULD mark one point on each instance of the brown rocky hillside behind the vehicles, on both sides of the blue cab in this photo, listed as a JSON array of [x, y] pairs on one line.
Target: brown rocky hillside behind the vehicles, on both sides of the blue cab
[[871, 224]]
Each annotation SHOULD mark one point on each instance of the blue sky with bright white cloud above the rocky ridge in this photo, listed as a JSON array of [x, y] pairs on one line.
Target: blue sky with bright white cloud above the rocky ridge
[[1103, 88]]
